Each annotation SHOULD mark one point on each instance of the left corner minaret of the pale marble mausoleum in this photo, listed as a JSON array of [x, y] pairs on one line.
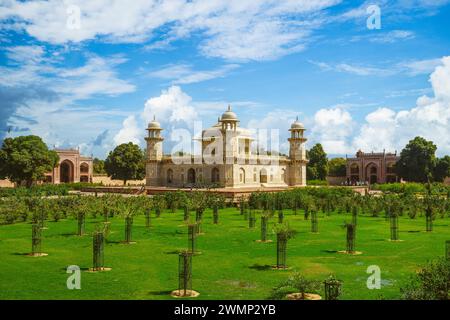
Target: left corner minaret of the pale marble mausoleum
[[154, 152]]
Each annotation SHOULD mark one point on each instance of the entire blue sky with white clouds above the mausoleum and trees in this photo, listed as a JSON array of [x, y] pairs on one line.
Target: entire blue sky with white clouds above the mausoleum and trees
[[91, 74]]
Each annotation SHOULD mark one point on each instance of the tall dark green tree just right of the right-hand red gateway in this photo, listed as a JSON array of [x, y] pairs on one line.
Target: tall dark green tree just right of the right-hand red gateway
[[417, 160]]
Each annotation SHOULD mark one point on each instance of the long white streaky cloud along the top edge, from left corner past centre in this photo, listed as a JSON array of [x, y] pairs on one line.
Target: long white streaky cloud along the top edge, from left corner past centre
[[235, 30]]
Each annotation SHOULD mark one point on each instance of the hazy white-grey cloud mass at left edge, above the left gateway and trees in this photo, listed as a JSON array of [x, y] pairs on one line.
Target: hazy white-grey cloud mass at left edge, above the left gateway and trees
[[40, 93]]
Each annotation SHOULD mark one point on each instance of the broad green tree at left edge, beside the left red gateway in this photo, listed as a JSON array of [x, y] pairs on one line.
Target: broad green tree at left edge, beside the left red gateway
[[26, 159]]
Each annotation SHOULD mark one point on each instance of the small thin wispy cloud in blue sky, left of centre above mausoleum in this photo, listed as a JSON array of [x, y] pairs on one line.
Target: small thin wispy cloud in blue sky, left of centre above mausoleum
[[184, 74]]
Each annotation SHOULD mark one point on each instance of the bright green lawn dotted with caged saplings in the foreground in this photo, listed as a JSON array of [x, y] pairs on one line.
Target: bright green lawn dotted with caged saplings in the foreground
[[232, 265]]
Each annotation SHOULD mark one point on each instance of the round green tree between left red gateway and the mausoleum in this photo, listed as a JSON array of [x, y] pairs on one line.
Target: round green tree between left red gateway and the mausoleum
[[126, 162]]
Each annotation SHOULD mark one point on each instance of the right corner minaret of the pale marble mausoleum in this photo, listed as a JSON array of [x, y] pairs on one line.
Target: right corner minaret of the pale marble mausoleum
[[297, 155]]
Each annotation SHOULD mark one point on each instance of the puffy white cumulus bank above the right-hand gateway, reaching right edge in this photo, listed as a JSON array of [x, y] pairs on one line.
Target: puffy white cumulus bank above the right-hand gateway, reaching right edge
[[388, 129]]
